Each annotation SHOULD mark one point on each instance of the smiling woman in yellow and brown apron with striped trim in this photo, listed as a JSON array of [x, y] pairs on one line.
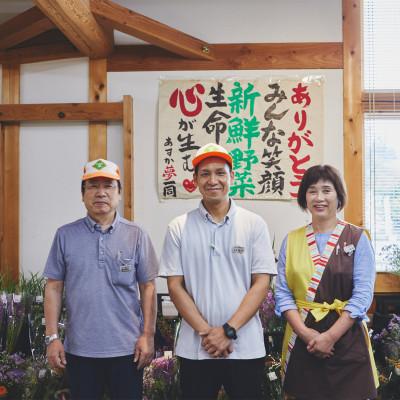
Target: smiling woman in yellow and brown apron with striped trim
[[326, 274]]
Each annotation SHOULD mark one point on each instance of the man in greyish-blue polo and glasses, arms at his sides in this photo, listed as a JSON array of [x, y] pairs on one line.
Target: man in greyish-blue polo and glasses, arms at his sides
[[101, 262]]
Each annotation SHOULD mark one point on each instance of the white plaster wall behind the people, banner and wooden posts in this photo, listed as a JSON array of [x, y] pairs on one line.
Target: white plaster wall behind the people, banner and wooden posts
[[52, 155]]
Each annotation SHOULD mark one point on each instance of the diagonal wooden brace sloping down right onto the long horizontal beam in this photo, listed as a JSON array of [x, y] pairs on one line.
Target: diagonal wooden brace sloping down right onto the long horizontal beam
[[151, 31]]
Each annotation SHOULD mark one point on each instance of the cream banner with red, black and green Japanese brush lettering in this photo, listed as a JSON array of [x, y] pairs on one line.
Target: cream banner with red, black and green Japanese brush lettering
[[273, 129]]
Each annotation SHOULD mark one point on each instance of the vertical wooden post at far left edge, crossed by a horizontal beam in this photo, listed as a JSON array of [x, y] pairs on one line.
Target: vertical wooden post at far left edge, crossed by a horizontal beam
[[9, 246]]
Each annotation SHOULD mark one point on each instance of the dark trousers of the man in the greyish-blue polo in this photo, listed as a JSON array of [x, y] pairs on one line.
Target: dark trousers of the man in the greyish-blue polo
[[90, 377]]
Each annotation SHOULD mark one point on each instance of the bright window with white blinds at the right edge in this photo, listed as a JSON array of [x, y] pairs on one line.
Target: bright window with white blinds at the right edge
[[381, 66]]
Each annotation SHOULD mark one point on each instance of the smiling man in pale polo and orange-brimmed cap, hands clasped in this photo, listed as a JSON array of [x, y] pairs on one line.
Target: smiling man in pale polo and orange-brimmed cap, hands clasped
[[218, 260]]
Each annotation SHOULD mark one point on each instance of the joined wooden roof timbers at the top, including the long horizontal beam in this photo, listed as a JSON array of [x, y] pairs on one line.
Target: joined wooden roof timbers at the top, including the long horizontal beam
[[58, 29]]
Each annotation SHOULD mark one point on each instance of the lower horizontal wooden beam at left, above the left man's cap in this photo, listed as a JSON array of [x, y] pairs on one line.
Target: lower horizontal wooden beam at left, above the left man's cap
[[62, 112]]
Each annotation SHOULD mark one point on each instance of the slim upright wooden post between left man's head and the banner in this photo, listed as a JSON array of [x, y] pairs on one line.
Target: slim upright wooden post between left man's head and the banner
[[128, 158]]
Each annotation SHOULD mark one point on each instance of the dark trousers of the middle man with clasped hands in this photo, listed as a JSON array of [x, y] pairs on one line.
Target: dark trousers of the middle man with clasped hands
[[241, 379]]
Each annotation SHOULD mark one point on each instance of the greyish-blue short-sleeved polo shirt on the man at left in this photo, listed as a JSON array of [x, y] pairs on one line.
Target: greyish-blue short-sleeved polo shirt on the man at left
[[101, 272]]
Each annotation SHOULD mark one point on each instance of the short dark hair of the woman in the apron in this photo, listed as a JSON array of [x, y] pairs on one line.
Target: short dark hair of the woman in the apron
[[325, 173]]
